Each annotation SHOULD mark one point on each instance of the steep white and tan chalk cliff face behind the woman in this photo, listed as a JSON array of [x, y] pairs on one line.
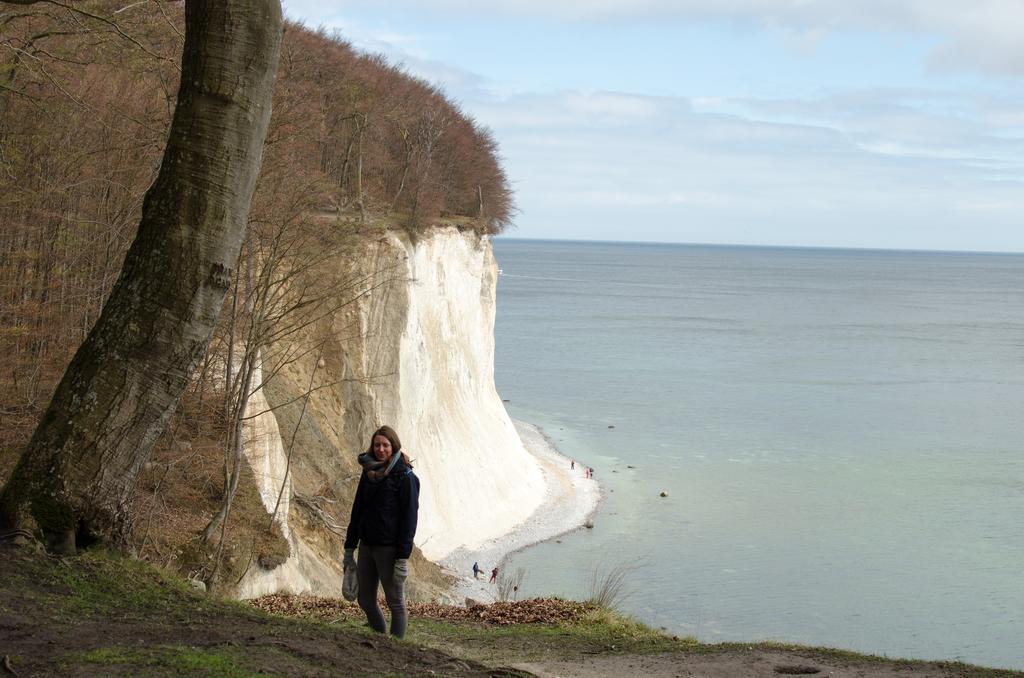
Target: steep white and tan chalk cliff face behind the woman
[[415, 350]]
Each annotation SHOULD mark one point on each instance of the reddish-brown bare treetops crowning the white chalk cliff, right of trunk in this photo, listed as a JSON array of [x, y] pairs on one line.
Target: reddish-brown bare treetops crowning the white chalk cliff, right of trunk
[[389, 143]]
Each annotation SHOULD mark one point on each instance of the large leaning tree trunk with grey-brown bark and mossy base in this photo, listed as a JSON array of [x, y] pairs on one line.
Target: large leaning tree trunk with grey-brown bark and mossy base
[[78, 473]]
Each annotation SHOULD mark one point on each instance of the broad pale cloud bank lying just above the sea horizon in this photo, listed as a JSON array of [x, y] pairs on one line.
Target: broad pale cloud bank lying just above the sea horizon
[[841, 172]]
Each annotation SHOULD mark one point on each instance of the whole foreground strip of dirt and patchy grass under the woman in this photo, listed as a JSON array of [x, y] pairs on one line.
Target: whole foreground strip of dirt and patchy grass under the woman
[[98, 615]]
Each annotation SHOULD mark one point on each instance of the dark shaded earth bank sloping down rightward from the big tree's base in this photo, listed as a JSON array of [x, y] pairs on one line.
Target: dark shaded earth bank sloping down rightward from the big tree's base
[[79, 617]]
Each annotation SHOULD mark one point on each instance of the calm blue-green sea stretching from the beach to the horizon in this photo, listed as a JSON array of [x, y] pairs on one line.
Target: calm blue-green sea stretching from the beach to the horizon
[[840, 435]]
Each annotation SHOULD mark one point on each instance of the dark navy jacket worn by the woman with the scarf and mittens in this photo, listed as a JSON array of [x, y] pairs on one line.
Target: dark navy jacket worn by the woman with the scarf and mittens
[[385, 514]]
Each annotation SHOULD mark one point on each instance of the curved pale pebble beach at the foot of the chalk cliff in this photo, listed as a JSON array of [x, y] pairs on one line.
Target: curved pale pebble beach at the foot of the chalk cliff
[[570, 501]]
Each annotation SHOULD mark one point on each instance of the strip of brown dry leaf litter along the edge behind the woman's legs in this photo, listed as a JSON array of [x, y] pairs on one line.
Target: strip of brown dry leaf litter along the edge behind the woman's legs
[[535, 611]]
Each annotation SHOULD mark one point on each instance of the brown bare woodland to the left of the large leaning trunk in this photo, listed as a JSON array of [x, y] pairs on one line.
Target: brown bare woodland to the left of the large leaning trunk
[[83, 115]]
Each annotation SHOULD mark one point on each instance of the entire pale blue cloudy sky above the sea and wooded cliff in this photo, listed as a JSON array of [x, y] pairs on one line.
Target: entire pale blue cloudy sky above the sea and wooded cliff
[[893, 124]]
